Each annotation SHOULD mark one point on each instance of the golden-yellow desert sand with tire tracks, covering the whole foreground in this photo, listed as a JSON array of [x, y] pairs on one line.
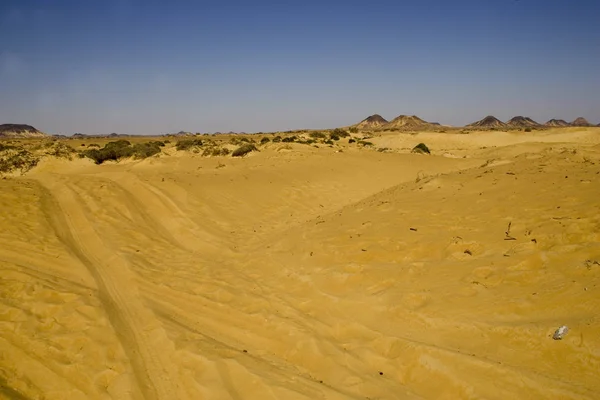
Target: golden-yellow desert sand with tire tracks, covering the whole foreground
[[308, 273]]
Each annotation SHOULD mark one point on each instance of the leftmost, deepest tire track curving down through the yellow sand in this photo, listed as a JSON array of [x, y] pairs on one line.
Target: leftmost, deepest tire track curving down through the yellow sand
[[142, 336]]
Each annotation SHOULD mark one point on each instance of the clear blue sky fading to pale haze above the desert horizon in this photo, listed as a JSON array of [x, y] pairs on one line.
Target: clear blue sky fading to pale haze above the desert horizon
[[149, 67]]
